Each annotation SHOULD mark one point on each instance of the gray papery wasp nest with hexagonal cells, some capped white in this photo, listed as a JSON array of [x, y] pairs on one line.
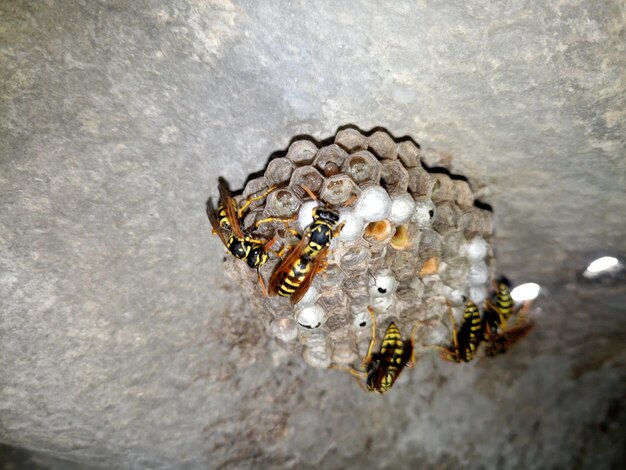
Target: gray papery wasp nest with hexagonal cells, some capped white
[[413, 240]]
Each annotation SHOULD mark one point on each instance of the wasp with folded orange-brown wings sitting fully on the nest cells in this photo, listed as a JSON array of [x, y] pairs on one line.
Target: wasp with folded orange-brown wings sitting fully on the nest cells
[[294, 275]]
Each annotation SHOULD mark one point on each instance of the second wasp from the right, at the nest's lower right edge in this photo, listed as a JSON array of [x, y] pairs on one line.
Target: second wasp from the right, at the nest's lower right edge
[[465, 340]]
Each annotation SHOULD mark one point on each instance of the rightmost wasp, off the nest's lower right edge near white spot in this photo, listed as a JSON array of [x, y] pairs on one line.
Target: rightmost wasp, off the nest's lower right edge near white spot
[[499, 337]]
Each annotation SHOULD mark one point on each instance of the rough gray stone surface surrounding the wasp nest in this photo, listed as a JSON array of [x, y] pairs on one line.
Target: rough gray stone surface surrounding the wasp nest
[[121, 345]]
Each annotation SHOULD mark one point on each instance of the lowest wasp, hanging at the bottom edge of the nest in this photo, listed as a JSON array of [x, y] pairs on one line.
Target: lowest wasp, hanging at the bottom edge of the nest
[[381, 369]]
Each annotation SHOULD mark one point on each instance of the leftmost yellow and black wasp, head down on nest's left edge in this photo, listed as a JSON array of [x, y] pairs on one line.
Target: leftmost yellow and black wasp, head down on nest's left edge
[[226, 223]]
